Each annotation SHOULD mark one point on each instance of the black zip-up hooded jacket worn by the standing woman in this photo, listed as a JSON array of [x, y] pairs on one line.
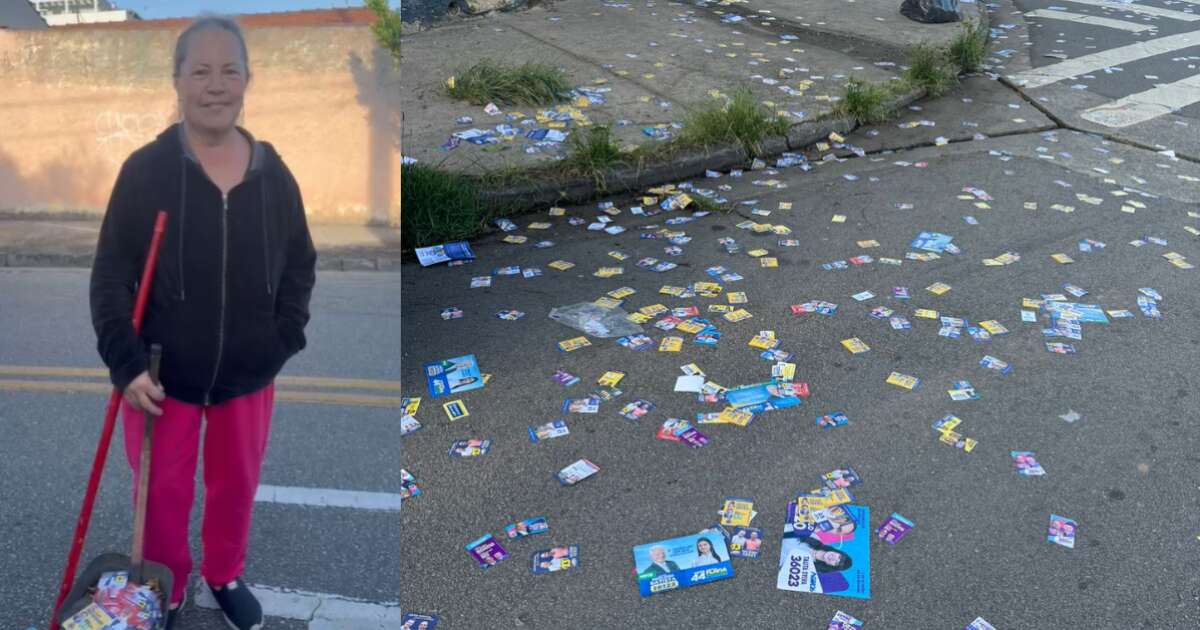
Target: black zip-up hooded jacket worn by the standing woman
[[230, 298]]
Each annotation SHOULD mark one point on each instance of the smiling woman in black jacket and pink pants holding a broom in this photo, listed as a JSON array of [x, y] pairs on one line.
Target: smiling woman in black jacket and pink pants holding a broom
[[230, 304]]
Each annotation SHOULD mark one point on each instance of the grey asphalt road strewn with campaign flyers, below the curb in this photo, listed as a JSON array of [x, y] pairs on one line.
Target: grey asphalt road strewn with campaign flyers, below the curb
[[1126, 471]]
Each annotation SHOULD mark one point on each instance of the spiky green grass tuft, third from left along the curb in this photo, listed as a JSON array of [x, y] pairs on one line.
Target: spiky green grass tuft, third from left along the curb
[[741, 119]]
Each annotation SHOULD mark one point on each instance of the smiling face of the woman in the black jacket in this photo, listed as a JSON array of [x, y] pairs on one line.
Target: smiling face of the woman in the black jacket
[[212, 81]]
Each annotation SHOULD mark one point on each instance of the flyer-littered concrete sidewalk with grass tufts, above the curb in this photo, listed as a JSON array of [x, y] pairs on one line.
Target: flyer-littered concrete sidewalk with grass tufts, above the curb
[[649, 65]]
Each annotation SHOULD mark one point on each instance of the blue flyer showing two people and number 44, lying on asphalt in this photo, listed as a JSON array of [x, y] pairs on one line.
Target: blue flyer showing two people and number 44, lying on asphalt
[[681, 563]]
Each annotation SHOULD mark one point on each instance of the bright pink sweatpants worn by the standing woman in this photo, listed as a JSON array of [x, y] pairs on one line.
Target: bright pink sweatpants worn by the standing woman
[[235, 446]]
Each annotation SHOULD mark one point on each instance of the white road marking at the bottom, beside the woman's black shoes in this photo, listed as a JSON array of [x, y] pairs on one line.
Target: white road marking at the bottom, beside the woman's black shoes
[[323, 611]]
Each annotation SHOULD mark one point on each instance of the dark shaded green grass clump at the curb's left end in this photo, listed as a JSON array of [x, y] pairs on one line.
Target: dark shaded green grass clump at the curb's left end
[[439, 207]]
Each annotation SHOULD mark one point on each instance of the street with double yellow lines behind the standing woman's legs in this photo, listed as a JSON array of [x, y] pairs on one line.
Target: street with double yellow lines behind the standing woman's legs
[[326, 526]]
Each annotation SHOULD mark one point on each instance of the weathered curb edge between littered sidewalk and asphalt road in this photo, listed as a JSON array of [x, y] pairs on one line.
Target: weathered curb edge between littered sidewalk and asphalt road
[[623, 181]]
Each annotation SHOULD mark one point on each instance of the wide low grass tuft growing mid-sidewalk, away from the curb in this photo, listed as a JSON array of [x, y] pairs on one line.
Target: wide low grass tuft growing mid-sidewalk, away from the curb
[[531, 85]]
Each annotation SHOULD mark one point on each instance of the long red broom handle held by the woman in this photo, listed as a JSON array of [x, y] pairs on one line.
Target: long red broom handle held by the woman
[[106, 435]]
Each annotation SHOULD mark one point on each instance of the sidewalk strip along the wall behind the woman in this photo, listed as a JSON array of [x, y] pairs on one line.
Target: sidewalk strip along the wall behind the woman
[[52, 243]]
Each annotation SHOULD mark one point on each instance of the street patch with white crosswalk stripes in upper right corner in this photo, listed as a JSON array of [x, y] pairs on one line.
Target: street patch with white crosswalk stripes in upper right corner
[[1131, 70]]
